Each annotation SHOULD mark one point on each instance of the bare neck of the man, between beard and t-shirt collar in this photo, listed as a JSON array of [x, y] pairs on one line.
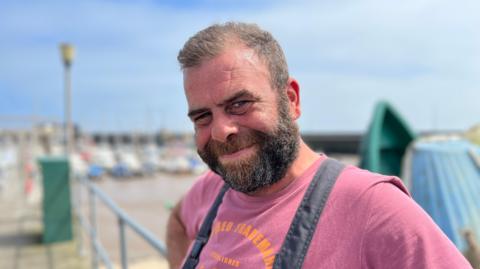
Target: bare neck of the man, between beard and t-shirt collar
[[306, 157]]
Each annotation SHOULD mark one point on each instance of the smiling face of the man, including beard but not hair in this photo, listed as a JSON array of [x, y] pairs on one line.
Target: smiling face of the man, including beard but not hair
[[243, 128]]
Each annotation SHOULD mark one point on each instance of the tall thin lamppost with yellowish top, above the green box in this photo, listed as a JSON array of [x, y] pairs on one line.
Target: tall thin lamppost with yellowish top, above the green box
[[68, 53]]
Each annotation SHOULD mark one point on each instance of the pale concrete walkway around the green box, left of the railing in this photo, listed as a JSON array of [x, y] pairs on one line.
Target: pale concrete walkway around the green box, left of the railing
[[21, 231]]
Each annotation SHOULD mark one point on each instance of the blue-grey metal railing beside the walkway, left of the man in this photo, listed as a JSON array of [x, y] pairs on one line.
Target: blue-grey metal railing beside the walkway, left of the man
[[90, 227]]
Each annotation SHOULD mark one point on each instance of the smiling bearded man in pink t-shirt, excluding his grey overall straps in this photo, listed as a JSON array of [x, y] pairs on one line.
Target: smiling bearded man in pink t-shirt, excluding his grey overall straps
[[244, 107]]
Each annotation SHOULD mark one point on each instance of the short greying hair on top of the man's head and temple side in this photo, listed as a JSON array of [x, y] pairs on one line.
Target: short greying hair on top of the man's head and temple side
[[211, 41]]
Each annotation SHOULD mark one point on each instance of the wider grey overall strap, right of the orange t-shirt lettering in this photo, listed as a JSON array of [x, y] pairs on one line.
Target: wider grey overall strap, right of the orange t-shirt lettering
[[299, 236]]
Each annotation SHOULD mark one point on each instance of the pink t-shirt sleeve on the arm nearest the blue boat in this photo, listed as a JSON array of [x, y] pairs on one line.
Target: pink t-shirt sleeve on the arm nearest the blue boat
[[399, 234]]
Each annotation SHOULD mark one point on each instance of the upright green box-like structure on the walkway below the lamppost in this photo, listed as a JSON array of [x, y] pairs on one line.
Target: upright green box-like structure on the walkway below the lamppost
[[57, 214]]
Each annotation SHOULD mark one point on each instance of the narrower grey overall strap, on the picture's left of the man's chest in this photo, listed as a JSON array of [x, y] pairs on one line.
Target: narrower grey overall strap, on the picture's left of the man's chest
[[204, 233]]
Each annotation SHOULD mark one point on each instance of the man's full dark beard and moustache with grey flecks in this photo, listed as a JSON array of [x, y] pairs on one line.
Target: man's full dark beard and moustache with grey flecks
[[275, 152]]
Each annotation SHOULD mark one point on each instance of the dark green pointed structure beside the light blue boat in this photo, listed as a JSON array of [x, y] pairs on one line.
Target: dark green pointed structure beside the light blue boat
[[385, 142]]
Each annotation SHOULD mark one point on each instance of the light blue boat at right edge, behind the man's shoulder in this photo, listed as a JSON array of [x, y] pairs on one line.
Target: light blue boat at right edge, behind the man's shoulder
[[444, 179]]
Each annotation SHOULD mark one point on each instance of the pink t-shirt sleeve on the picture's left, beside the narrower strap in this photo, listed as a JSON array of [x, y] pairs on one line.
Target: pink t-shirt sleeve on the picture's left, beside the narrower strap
[[196, 203]]
